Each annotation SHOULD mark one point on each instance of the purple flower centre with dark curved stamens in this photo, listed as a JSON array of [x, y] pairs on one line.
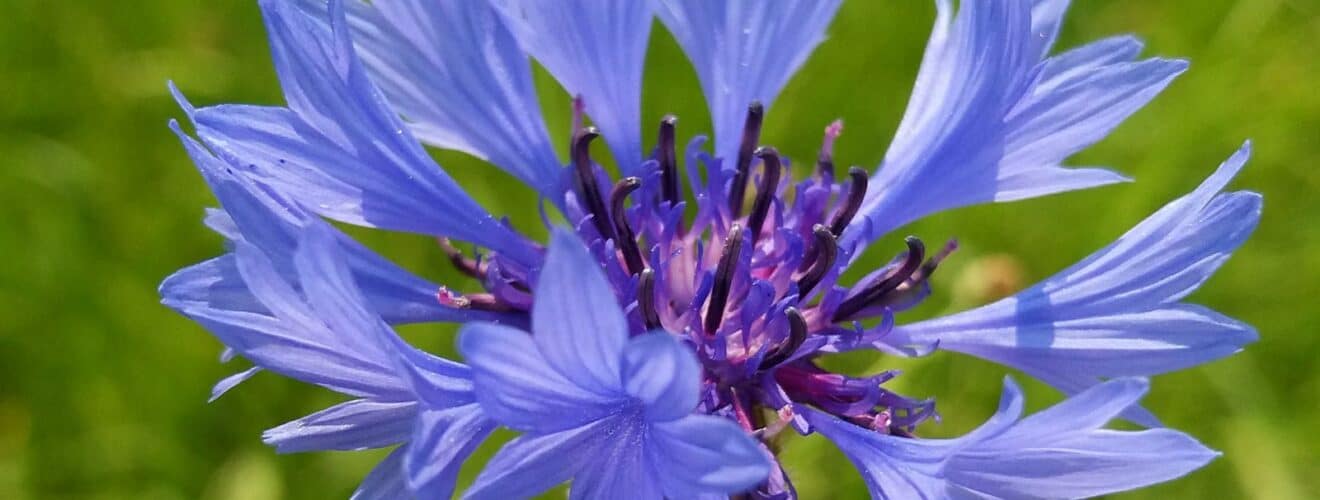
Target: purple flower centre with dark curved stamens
[[753, 291]]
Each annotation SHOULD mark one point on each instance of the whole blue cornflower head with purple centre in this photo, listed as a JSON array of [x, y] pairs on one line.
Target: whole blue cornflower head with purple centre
[[661, 345]]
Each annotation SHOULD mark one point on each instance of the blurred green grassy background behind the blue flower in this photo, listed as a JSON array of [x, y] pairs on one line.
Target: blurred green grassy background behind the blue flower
[[104, 391]]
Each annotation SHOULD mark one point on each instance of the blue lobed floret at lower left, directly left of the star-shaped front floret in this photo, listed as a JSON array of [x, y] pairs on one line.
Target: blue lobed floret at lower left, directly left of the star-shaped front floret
[[324, 333]]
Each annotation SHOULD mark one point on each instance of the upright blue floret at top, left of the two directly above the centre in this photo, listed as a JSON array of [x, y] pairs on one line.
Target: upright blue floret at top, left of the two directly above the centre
[[596, 49]]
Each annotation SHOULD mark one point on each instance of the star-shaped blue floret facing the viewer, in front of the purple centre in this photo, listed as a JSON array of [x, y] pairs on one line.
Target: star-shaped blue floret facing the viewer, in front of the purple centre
[[629, 433]]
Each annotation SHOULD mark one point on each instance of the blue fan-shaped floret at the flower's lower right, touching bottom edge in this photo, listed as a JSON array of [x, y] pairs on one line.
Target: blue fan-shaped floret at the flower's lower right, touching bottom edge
[[1061, 453]]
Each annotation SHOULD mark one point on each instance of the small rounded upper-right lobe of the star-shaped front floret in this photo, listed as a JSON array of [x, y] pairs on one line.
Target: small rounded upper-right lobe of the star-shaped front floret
[[663, 374]]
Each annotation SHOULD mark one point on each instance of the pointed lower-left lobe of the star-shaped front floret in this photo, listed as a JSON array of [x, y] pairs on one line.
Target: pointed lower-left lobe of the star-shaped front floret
[[534, 464]]
